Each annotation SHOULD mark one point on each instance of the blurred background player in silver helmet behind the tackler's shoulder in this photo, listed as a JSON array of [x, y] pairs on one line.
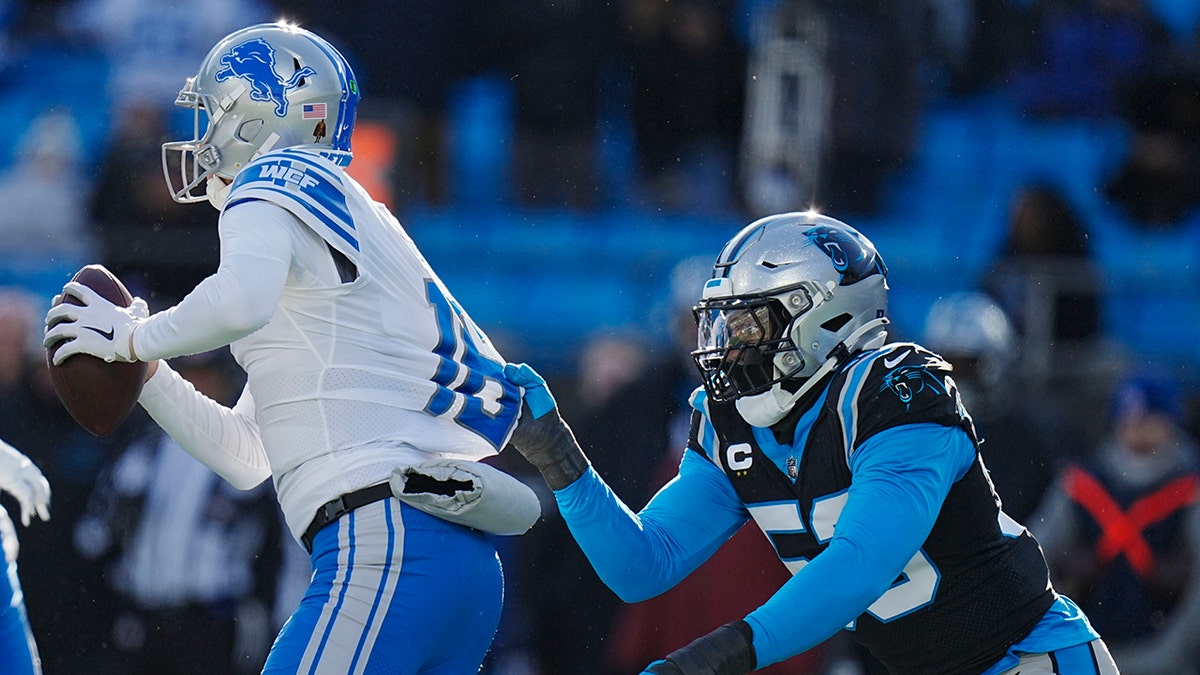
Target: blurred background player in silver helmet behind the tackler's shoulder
[[1025, 439]]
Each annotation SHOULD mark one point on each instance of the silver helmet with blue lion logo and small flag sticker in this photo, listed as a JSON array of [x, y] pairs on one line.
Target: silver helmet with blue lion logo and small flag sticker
[[261, 88]]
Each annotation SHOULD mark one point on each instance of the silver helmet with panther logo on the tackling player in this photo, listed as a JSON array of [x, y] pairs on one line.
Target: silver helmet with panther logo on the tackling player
[[791, 296]]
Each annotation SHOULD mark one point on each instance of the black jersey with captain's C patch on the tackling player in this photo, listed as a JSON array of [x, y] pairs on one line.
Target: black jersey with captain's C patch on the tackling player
[[980, 583]]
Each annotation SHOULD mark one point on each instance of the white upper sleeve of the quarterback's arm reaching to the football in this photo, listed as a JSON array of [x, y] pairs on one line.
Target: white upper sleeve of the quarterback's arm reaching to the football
[[239, 298]]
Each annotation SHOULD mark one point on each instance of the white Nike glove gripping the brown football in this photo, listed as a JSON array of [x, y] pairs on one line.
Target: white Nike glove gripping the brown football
[[98, 327]]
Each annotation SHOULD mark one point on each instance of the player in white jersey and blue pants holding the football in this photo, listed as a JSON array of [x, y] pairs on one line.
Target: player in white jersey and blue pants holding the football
[[361, 367]]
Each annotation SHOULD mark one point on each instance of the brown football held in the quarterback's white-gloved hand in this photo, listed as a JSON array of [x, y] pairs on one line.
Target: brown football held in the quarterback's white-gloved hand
[[98, 395]]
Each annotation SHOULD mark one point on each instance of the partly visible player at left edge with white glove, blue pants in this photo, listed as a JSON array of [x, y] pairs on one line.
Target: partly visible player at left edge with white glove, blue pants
[[22, 480]]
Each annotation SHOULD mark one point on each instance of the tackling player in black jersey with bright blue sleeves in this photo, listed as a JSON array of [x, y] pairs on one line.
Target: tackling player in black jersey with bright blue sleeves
[[854, 456]]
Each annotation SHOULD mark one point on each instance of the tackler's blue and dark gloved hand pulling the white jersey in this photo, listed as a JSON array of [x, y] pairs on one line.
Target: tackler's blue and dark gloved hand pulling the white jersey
[[543, 437]]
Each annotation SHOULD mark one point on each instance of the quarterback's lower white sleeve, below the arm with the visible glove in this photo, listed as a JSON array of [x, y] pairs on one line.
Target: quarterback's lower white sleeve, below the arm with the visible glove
[[226, 440]]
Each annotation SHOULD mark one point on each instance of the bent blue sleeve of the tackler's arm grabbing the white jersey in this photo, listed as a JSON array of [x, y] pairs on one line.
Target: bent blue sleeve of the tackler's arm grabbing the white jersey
[[643, 555]]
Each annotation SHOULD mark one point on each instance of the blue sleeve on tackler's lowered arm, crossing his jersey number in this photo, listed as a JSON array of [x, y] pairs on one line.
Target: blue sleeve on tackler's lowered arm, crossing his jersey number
[[901, 477]]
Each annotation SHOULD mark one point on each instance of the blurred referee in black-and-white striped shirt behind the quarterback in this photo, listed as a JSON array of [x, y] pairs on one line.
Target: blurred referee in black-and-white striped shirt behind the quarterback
[[193, 563]]
